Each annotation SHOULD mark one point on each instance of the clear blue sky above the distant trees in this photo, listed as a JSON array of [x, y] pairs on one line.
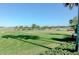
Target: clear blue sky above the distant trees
[[43, 14]]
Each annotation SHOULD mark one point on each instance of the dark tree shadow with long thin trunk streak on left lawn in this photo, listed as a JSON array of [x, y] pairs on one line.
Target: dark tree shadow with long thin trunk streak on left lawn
[[24, 38]]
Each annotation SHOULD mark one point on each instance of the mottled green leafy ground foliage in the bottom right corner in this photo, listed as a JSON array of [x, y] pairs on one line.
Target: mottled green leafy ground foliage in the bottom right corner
[[66, 49]]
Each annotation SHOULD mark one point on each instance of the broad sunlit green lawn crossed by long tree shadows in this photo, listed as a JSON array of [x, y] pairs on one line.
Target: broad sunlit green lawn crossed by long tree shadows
[[30, 42]]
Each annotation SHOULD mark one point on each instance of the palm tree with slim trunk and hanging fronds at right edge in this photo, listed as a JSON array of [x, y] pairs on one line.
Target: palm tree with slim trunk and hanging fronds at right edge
[[71, 5]]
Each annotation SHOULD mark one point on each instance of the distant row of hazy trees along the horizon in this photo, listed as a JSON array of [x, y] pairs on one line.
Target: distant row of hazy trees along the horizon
[[38, 27]]
